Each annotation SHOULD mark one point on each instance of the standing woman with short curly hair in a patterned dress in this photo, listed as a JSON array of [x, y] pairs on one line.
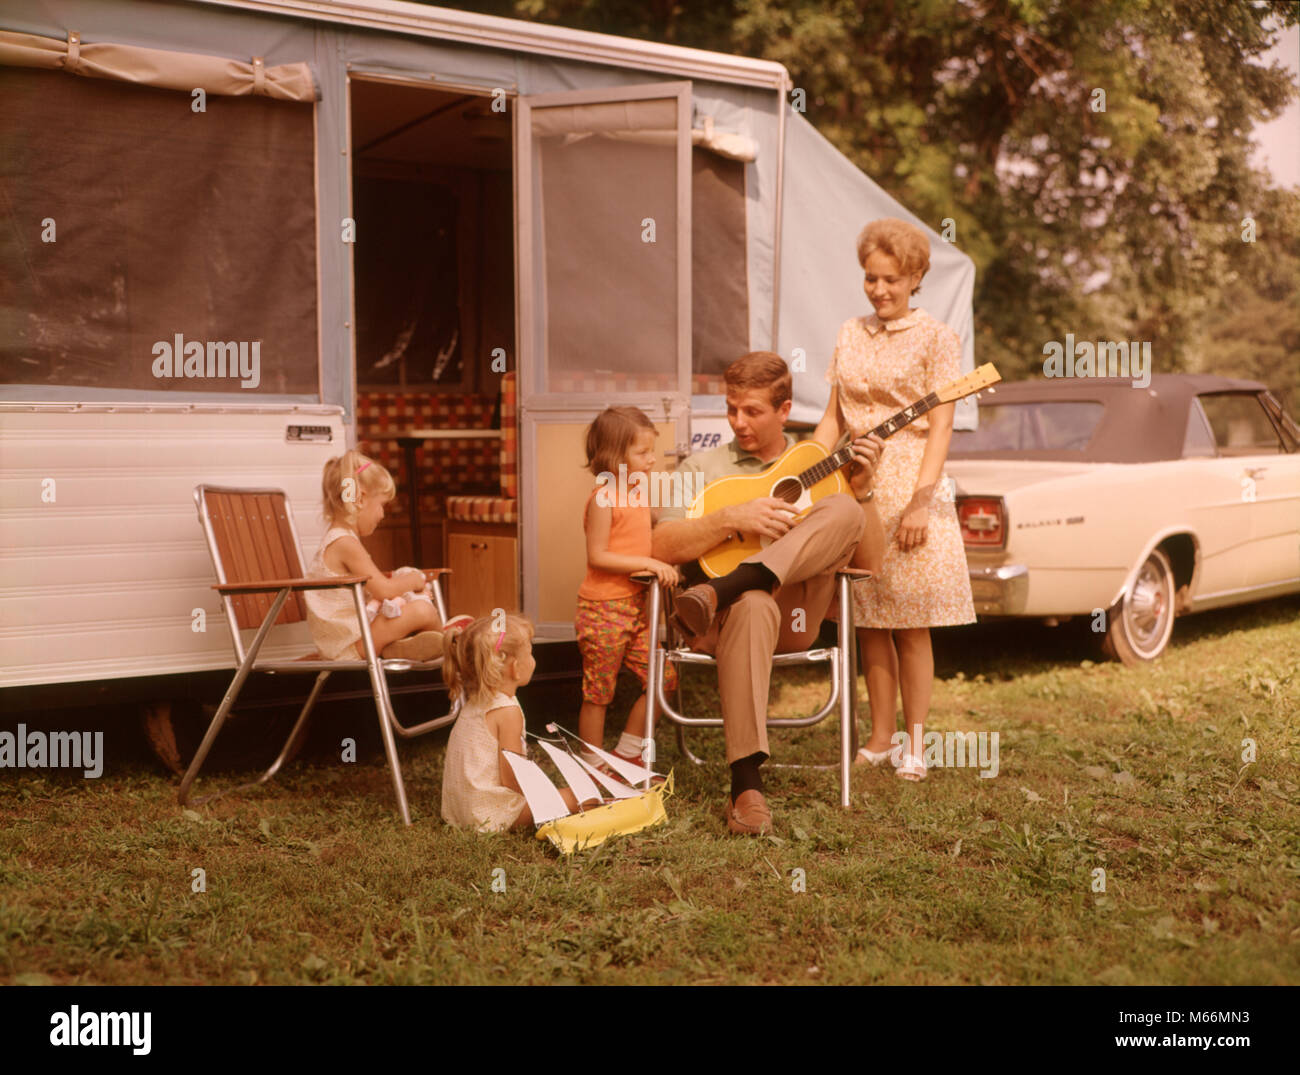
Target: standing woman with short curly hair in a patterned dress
[[882, 365]]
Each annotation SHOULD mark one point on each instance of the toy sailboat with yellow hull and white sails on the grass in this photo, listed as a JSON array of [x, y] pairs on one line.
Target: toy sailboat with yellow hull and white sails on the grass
[[622, 809]]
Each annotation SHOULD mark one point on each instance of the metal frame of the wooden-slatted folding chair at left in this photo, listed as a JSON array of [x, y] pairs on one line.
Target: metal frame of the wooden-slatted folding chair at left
[[283, 588]]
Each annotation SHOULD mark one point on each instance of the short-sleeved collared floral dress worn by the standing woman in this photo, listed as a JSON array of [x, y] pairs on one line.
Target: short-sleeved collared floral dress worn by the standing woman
[[881, 367]]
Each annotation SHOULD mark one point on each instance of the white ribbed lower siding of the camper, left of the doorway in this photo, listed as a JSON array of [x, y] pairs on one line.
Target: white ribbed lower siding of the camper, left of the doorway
[[102, 580]]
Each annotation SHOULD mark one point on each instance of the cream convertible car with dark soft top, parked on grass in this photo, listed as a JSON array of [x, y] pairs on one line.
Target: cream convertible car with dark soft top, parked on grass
[[1129, 505]]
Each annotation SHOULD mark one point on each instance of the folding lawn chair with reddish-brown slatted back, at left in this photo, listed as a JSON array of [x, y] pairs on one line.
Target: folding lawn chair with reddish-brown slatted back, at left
[[255, 553]]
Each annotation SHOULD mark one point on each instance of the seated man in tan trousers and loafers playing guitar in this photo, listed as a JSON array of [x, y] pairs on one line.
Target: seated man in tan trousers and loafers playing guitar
[[751, 614]]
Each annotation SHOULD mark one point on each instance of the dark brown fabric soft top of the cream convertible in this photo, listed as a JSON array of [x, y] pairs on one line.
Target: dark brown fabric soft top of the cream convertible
[[1141, 426]]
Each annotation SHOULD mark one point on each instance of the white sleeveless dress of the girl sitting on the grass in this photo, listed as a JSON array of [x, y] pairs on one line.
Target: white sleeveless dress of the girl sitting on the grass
[[473, 794]]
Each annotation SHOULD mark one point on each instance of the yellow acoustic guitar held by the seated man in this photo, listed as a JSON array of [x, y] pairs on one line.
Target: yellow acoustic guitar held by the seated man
[[805, 473]]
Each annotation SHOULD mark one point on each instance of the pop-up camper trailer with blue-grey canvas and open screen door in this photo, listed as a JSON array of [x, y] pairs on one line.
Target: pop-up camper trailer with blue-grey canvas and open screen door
[[241, 236]]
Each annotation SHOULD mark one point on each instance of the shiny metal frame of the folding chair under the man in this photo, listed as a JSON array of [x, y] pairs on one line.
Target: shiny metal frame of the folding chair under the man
[[844, 682]]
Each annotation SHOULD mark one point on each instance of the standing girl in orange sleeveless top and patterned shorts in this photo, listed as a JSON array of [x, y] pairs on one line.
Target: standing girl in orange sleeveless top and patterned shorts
[[612, 609]]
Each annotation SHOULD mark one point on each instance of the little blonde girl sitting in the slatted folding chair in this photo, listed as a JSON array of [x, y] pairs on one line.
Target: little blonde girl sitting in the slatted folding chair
[[356, 491]]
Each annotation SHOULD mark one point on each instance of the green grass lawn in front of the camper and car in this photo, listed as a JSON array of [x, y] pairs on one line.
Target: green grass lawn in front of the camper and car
[[961, 879]]
